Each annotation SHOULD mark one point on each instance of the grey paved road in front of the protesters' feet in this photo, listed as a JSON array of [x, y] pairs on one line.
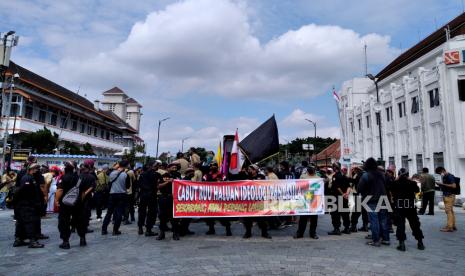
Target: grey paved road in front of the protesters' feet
[[130, 254]]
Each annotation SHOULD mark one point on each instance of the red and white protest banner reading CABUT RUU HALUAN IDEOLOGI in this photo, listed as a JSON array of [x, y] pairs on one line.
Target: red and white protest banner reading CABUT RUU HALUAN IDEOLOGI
[[248, 198]]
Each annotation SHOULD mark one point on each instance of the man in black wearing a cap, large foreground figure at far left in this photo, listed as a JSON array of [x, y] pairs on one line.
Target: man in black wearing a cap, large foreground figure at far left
[[28, 204]]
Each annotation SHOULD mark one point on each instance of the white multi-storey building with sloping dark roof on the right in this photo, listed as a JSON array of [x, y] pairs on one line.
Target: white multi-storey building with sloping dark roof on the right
[[422, 106]]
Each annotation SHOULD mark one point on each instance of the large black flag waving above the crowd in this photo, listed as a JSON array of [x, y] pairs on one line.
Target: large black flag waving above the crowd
[[262, 142]]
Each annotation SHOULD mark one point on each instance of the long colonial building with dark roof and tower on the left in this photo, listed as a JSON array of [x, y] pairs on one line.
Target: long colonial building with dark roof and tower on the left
[[38, 102]]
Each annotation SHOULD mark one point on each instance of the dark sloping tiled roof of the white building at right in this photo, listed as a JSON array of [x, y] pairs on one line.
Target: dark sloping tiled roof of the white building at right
[[456, 26]]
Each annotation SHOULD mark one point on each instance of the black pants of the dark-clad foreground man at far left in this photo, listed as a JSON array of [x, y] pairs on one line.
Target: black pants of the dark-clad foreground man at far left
[[27, 222]]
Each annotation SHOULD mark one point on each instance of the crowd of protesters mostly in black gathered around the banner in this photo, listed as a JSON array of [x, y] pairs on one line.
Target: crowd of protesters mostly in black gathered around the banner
[[122, 189]]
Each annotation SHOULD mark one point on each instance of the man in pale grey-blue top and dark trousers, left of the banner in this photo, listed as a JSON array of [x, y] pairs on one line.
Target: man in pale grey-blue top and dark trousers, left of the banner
[[119, 182]]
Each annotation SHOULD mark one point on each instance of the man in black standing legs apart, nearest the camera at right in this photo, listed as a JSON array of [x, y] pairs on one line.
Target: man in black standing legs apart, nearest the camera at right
[[403, 192]]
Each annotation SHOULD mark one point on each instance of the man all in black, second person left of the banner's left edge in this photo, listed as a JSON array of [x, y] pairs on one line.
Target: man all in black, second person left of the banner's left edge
[[148, 187]]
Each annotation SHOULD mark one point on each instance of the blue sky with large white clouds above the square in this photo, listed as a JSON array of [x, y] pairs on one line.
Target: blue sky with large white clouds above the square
[[213, 65]]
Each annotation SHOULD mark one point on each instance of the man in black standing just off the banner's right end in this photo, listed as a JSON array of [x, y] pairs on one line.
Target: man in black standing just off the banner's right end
[[339, 188]]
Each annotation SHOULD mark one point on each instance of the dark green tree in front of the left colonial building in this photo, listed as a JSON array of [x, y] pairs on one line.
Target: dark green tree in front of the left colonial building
[[41, 141]]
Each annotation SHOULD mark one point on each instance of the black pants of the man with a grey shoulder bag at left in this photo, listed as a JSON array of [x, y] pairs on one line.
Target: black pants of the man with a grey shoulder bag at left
[[72, 216]]
